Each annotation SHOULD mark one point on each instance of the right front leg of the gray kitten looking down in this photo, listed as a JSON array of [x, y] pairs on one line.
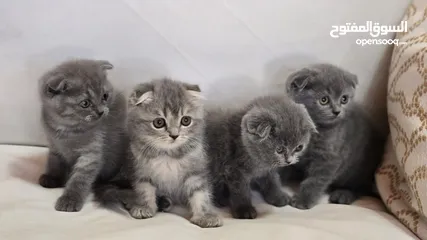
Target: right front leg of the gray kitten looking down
[[270, 188]]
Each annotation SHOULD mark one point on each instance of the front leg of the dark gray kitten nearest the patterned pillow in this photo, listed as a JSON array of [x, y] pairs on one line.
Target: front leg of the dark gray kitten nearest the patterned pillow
[[320, 176]]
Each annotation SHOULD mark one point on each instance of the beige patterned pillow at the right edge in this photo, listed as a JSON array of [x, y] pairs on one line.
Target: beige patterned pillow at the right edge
[[402, 177]]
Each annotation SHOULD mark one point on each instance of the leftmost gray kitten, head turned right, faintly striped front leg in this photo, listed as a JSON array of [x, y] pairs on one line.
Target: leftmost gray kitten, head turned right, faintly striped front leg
[[84, 120]]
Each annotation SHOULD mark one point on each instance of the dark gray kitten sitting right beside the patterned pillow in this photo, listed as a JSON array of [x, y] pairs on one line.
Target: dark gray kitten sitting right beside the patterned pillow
[[343, 157]]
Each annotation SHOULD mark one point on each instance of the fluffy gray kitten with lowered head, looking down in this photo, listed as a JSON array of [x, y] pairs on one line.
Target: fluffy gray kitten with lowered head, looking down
[[247, 146]]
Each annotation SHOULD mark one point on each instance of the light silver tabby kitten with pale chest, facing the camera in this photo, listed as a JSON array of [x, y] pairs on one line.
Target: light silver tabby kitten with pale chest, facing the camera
[[166, 127]]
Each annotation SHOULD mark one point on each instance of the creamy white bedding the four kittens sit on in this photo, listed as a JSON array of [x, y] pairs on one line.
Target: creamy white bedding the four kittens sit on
[[26, 212]]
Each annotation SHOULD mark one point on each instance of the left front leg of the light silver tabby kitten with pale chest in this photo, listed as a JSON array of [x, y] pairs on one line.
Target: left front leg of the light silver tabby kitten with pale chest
[[145, 205]]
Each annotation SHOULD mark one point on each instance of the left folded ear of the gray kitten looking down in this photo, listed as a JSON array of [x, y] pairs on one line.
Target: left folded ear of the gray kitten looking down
[[258, 124]]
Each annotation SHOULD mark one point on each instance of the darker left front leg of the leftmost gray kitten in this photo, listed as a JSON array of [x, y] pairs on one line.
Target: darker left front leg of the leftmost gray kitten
[[56, 171]]
